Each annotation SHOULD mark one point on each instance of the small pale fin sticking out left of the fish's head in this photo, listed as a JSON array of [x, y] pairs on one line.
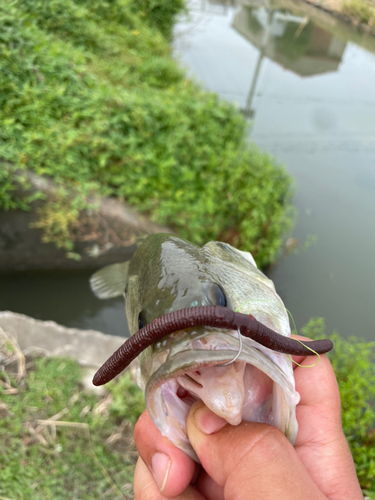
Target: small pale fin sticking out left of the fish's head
[[110, 281]]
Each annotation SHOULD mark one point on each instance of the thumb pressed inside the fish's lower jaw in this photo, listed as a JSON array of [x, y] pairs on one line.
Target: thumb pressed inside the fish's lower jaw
[[250, 458]]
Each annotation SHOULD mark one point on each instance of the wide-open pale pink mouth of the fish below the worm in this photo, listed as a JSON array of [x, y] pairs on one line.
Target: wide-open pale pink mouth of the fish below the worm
[[257, 387]]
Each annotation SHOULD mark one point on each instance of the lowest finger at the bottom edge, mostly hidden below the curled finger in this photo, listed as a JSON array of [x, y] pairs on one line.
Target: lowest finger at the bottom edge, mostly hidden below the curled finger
[[145, 487]]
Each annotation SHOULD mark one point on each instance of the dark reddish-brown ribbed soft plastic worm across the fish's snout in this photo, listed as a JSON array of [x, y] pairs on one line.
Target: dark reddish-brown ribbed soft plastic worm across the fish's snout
[[215, 316]]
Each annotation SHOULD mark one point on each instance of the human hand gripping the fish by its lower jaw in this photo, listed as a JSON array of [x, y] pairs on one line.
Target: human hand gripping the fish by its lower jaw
[[251, 458]]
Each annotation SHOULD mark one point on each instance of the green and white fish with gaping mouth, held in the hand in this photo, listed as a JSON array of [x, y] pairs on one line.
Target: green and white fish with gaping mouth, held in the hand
[[239, 381]]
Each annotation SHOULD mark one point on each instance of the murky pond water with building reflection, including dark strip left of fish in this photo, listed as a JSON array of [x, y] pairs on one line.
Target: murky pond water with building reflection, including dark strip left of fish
[[306, 82]]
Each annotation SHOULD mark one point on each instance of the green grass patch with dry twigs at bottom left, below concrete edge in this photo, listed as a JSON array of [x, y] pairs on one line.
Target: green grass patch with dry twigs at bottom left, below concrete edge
[[76, 463]]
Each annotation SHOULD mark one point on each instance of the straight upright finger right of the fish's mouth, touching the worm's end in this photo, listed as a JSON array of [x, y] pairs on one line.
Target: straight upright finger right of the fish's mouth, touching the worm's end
[[321, 443]]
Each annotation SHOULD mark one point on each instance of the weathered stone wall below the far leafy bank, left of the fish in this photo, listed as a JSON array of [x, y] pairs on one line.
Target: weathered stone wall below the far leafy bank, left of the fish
[[104, 235]]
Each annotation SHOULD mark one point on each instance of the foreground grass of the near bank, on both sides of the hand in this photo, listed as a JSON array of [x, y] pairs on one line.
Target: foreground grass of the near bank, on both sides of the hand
[[60, 442]]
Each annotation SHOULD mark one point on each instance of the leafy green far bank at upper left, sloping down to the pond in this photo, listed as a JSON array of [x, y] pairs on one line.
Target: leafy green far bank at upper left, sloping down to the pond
[[91, 97]]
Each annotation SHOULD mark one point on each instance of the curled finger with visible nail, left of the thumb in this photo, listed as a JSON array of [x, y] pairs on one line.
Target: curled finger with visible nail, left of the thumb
[[172, 469]]
